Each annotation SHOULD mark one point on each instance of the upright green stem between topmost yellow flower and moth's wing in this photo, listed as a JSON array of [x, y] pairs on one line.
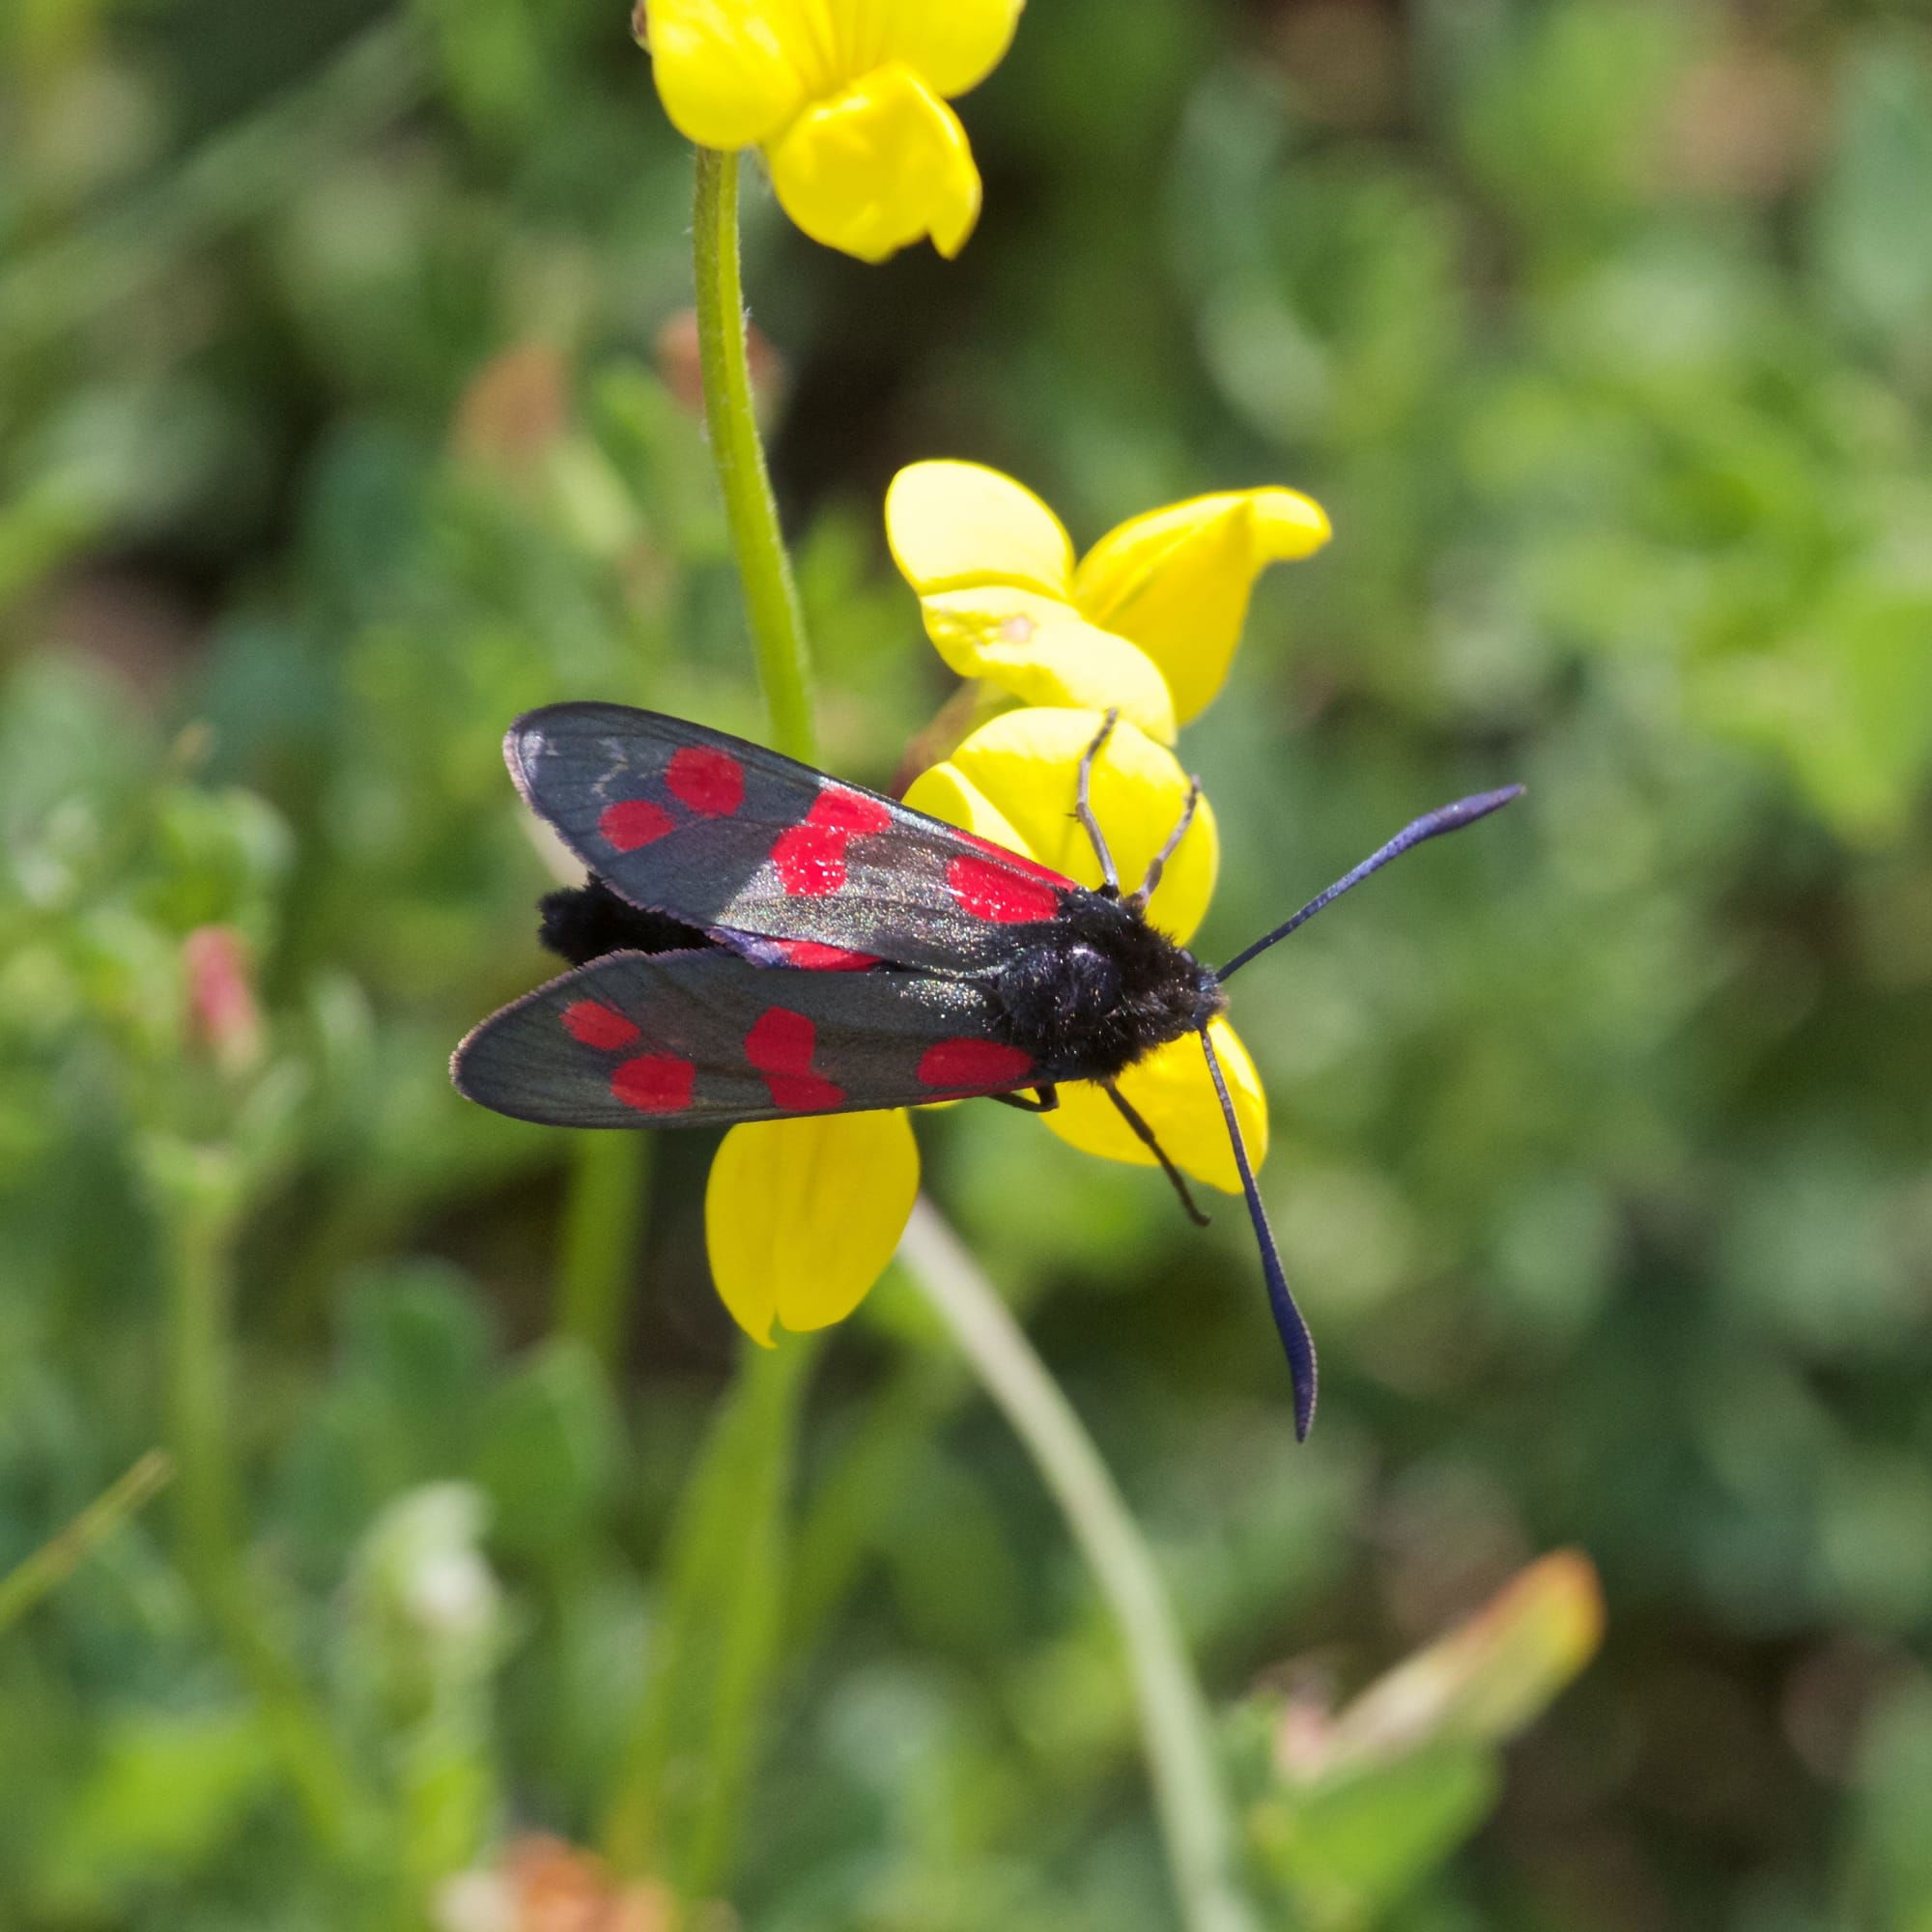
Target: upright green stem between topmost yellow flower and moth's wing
[[766, 573]]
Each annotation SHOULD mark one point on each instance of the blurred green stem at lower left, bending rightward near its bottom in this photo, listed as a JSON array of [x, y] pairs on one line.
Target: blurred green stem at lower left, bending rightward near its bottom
[[196, 1228]]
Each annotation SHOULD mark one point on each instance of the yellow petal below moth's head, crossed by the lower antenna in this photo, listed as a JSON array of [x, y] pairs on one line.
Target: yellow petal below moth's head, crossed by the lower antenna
[[1176, 1096]]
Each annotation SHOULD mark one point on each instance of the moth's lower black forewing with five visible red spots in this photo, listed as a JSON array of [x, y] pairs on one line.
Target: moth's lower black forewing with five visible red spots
[[710, 1038]]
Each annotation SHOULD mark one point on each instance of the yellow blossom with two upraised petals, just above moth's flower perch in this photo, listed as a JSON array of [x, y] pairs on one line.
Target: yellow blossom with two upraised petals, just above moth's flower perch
[[1151, 617]]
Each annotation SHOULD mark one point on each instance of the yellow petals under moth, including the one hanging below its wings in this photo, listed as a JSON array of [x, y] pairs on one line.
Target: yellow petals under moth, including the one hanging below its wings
[[803, 1216]]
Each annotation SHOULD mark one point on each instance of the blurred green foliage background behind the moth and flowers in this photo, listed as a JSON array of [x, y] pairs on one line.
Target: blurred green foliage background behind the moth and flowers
[[345, 414]]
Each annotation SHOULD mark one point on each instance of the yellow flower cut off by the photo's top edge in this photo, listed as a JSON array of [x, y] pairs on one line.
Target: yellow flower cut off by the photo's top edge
[[849, 101]]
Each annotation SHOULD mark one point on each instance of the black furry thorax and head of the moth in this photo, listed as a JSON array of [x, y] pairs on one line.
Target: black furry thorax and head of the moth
[[1100, 988]]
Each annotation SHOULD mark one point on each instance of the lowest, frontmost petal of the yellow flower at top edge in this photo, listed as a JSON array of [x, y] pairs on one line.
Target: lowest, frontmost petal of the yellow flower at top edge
[[876, 167]]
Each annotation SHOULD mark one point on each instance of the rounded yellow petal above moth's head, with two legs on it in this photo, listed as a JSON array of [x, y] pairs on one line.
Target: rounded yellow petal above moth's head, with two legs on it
[[1015, 781]]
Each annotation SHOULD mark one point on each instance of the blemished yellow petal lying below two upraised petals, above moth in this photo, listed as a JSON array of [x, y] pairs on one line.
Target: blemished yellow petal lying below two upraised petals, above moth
[[1042, 652]]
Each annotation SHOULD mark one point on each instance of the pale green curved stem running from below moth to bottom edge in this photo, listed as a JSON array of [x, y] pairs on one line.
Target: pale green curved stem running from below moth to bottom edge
[[1176, 1724]]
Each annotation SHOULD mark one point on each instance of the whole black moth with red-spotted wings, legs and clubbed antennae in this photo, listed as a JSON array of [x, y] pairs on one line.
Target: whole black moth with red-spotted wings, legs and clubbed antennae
[[758, 942]]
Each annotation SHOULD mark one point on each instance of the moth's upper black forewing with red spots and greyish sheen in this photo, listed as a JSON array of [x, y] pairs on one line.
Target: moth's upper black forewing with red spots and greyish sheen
[[756, 847]]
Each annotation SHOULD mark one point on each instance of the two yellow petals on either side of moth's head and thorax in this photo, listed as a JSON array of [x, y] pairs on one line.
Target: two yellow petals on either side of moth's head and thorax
[[1013, 781]]
